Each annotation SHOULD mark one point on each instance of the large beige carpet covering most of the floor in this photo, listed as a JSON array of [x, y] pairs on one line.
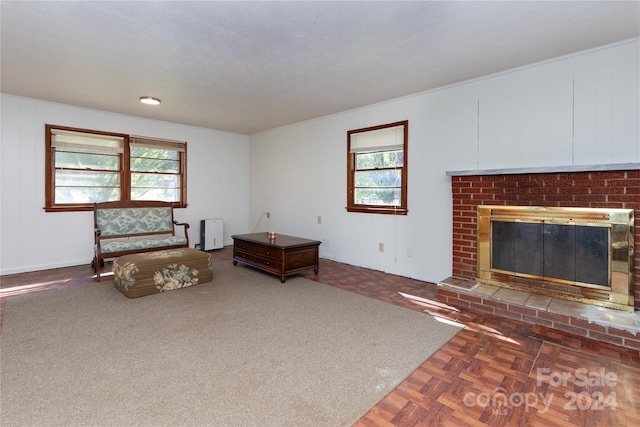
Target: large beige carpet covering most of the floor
[[243, 350]]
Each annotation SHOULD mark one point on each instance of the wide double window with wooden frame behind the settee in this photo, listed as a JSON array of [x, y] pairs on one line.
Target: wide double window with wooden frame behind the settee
[[85, 166]]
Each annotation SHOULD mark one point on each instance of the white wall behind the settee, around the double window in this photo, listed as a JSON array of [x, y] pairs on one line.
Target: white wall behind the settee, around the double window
[[30, 239]]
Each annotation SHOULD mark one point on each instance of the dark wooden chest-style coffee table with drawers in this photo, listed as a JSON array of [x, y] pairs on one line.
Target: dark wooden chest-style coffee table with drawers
[[283, 256]]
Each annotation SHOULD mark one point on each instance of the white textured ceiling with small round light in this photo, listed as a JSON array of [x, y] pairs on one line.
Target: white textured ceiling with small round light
[[249, 66]]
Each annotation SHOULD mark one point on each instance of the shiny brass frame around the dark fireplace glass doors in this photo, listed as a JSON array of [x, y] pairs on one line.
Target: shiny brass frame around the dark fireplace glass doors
[[618, 294]]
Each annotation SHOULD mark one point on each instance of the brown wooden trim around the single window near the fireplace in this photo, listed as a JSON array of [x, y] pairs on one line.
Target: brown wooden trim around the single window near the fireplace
[[351, 171]]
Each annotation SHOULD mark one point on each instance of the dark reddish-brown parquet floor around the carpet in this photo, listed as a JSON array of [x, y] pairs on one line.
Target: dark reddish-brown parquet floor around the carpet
[[494, 372]]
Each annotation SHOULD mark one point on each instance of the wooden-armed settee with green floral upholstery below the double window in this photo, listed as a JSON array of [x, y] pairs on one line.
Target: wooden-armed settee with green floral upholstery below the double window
[[122, 228]]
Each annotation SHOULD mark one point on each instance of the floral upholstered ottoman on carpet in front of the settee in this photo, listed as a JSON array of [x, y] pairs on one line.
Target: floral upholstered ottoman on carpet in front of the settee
[[136, 275]]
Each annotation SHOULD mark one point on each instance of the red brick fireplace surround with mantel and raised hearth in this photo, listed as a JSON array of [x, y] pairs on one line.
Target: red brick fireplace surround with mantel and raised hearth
[[591, 187]]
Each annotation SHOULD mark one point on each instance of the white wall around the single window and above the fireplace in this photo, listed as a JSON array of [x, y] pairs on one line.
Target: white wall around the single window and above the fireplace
[[578, 109]]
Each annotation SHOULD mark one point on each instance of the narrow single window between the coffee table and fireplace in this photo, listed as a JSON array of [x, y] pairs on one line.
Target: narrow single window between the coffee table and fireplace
[[377, 169]]
